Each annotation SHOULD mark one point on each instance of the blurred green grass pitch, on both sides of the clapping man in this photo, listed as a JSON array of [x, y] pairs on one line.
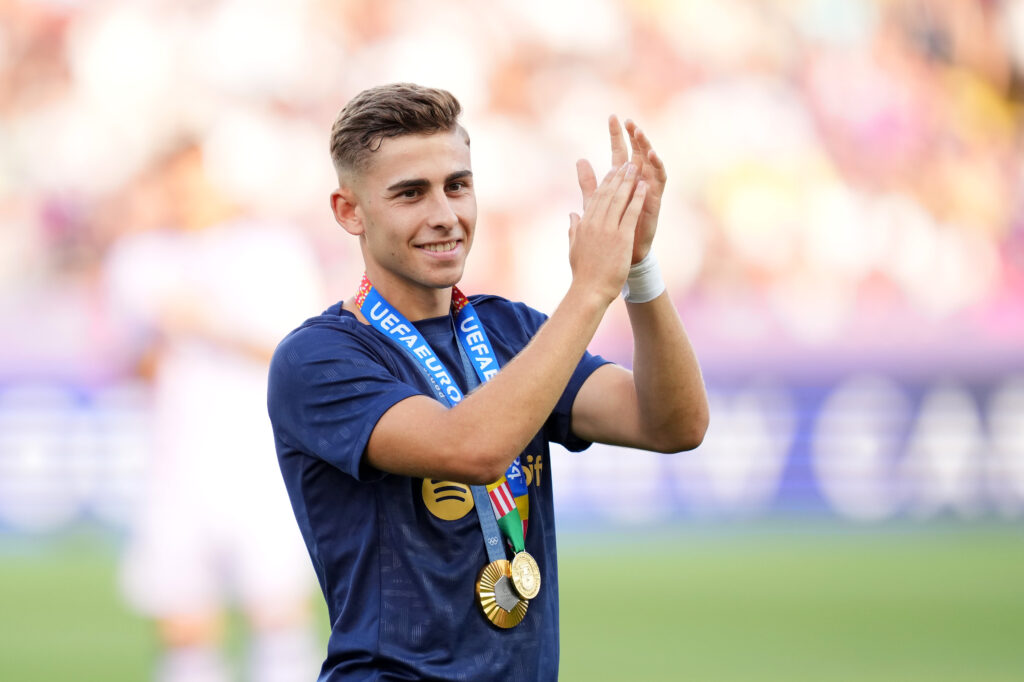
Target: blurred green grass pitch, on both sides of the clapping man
[[762, 603]]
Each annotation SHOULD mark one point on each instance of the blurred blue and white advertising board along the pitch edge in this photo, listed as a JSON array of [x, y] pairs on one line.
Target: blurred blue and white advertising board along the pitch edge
[[865, 448]]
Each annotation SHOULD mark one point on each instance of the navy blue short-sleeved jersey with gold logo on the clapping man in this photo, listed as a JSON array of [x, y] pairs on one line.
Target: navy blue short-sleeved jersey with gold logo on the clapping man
[[398, 558]]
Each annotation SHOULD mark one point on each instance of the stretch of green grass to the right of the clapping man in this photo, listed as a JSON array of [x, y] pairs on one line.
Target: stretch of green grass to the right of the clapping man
[[906, 605]]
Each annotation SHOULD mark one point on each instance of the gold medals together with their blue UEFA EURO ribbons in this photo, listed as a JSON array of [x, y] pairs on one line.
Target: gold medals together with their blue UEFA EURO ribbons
[[504, 588]]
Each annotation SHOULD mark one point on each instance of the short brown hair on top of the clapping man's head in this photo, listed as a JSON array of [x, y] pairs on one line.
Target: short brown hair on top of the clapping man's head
[[389, 111]]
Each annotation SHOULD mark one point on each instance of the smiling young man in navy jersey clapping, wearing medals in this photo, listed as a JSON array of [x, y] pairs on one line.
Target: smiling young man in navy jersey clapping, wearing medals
[[416, 468]]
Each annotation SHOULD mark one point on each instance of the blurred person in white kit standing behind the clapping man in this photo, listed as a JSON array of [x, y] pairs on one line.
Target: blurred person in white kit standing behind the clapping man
[[206, 291]]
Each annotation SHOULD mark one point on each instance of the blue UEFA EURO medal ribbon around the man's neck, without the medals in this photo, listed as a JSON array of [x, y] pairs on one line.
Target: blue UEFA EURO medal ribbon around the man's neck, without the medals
[[508, 496]]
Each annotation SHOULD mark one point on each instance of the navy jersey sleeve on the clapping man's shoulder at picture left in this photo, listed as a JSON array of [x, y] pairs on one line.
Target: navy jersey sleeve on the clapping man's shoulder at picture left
[[327, 392]]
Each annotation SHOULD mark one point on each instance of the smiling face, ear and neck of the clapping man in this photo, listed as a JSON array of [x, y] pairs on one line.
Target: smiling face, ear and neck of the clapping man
[[415, 212]]
